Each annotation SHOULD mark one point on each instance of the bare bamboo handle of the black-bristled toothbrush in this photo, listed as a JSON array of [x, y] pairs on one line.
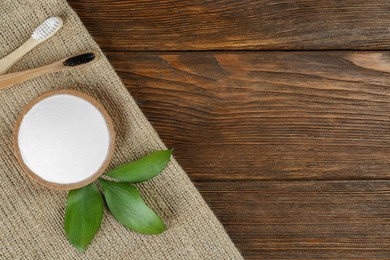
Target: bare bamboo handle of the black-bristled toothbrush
[[11, 79]]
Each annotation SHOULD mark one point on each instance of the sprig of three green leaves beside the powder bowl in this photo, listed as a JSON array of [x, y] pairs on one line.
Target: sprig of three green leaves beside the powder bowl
[[84, 209]]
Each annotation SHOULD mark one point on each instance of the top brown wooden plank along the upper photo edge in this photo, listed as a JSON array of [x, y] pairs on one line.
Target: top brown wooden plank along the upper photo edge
[[236, 25]]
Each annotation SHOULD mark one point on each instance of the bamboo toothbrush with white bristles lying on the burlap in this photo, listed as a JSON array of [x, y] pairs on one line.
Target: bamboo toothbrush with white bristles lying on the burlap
[[43, 32]]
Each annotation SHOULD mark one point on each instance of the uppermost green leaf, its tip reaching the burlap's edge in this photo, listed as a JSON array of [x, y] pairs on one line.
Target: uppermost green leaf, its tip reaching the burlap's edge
[[142, 169]]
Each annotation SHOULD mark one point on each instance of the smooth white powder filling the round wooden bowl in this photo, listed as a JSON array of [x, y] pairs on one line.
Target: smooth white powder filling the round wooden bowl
[[64, 139]]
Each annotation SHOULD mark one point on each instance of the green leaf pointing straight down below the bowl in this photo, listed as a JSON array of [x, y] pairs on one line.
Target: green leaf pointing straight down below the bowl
[[84, 212]]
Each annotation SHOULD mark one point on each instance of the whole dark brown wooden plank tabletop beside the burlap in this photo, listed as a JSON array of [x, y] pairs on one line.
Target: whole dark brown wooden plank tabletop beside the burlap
[[282, 124]]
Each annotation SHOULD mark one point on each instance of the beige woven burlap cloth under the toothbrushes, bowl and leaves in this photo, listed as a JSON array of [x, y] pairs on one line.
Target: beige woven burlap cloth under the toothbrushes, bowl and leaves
[[31, 216]]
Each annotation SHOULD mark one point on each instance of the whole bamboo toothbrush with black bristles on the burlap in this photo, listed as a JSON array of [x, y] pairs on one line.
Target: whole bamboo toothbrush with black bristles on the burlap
[[77, 61]]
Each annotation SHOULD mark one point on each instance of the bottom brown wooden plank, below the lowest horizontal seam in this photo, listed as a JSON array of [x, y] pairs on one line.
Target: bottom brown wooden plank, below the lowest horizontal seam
[[304, 219]]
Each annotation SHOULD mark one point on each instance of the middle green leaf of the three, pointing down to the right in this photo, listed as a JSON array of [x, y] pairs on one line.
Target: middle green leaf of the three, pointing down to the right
[[128, 207]]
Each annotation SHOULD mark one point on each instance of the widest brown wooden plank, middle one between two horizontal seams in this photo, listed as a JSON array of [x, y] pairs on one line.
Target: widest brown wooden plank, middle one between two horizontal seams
[[267, 115]]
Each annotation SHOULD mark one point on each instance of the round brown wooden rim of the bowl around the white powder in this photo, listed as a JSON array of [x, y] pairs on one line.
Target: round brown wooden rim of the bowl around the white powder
[[111, 148]]
